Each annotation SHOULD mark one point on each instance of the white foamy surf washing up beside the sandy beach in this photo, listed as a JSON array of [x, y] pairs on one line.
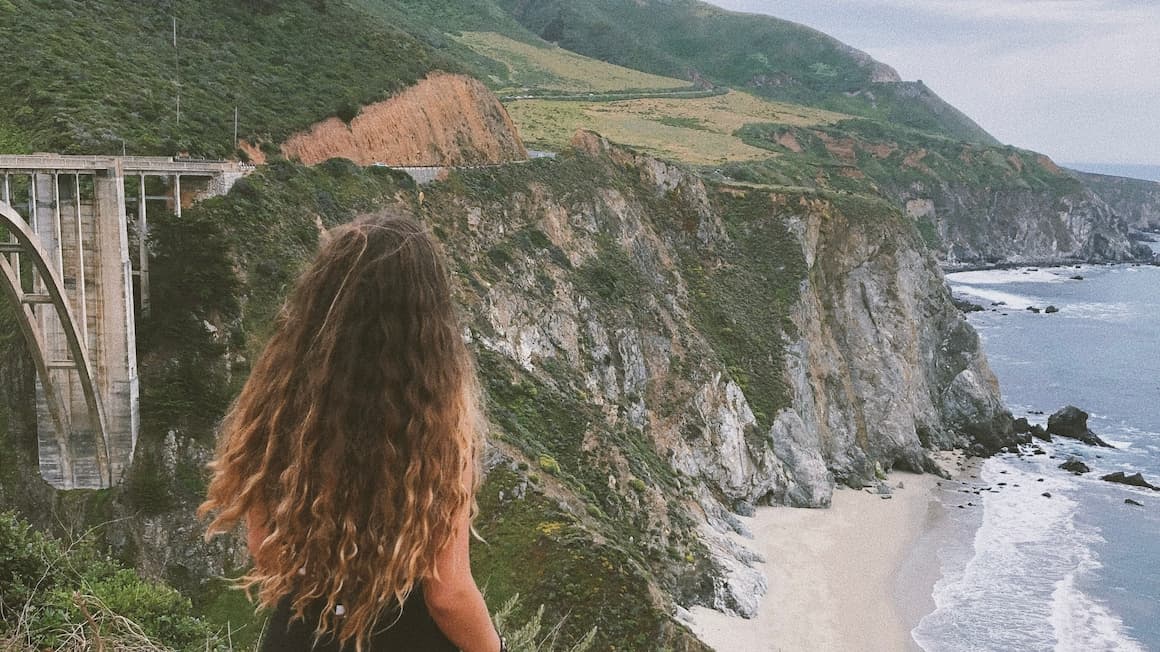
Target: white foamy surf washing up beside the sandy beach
[[1028, 554]]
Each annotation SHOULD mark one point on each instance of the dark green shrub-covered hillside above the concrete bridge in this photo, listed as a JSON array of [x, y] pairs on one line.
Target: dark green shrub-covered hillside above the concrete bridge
[[96, 77]]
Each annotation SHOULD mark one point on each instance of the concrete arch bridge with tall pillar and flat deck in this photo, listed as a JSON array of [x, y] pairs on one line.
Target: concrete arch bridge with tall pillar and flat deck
[[67, 267]]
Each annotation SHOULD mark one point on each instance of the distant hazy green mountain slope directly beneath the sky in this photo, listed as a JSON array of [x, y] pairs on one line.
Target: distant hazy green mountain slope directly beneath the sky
[[777, 59]]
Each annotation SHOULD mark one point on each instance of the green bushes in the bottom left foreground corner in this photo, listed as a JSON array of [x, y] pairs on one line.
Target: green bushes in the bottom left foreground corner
[[72, 598]]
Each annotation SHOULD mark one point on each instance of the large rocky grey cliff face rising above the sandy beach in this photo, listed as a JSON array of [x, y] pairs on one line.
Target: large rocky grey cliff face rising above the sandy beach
[[753, 347]]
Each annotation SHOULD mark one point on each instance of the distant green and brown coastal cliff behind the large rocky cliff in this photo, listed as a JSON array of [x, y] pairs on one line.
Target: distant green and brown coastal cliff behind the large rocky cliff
[[976, 205]]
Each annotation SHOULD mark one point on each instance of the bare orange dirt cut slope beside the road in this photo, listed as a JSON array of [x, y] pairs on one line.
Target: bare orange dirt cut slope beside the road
[[446, 120]]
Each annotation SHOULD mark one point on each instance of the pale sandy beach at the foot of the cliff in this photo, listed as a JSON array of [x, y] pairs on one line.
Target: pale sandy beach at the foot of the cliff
[[858, 576]]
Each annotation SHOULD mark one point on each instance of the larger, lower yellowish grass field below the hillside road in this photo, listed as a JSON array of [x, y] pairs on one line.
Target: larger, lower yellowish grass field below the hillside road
[[697, 132]]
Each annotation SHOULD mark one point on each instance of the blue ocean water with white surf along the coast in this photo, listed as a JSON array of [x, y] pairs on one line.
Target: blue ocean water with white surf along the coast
[[1078, 570]]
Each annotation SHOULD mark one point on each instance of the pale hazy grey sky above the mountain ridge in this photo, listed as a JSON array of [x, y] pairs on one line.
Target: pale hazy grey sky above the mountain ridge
[[1076, 79]]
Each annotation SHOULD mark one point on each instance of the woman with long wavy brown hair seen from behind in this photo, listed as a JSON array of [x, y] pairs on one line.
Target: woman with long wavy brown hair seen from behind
[[353, 452]]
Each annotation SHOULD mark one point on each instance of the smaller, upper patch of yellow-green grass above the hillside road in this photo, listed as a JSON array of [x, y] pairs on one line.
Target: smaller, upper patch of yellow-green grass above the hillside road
[[549, 68]]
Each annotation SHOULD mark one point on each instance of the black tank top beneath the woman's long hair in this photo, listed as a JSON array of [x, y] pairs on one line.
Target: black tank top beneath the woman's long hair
[[415, 632]]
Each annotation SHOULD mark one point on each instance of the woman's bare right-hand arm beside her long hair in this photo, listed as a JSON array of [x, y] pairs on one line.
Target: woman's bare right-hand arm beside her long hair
[[454, 600]]
